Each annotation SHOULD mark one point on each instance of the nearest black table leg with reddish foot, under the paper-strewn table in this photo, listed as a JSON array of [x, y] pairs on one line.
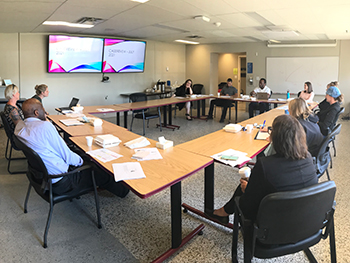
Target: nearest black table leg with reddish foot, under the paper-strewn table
[[176, 224]]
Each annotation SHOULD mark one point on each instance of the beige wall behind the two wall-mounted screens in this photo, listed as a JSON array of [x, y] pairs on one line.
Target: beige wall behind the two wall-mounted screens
[[23, 59]]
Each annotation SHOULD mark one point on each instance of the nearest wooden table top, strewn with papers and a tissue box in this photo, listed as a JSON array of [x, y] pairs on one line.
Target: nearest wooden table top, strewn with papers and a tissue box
[[176, 165]]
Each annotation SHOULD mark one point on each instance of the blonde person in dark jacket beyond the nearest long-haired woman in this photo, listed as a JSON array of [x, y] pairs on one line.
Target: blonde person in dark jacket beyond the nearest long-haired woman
[[299, 109]]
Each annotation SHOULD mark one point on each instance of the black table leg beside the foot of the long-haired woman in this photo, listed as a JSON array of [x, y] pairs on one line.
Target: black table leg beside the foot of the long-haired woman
[[208, 197]]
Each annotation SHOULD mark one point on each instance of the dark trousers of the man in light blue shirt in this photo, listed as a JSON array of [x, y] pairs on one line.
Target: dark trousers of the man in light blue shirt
[[83, 180]]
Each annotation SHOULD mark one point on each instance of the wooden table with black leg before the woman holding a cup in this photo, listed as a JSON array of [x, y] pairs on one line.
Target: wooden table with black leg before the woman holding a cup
[[220, 141]]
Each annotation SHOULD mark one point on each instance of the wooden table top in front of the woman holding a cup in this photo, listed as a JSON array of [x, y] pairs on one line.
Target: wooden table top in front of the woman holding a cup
[[221, 140]]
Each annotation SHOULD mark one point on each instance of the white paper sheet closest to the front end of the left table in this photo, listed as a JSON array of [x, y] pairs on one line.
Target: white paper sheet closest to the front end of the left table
[[127, 171]]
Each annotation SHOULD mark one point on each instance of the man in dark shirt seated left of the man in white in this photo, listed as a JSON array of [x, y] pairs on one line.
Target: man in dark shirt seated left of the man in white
[[227, 90]]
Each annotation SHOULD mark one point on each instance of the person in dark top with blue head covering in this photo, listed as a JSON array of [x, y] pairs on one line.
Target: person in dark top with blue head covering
[[327, 115]]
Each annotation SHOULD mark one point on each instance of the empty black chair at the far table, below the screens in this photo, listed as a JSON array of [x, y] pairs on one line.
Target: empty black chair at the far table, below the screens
[[143, 114]]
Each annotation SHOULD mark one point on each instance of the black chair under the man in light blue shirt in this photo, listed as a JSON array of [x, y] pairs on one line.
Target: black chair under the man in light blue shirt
[[41, 181]]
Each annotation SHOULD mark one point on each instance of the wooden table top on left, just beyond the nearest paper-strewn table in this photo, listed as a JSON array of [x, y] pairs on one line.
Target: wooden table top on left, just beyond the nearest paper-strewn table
[[86, 129]]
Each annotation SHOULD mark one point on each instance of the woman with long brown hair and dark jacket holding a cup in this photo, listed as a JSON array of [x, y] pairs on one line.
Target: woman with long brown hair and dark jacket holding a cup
[[291, 168]]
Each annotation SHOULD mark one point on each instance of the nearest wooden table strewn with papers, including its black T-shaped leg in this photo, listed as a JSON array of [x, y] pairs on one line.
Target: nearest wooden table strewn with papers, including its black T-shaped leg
[[176, 165]]
